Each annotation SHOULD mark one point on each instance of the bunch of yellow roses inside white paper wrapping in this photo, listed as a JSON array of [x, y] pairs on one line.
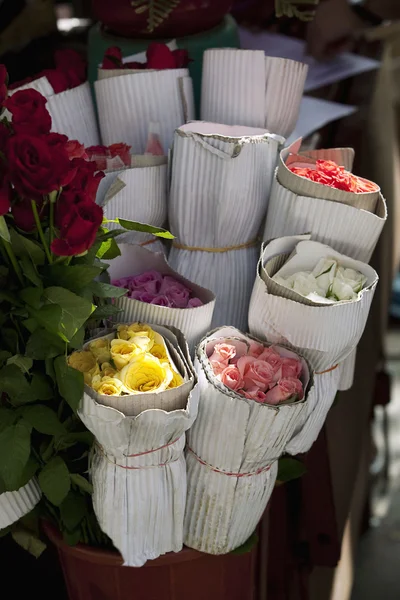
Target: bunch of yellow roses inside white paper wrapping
[[135, 360]]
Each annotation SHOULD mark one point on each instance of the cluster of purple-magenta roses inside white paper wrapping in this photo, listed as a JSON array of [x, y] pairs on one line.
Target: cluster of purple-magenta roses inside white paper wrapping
[[163, 290]]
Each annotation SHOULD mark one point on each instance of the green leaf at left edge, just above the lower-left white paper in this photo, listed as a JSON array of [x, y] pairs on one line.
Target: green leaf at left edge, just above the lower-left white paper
[[15, 448]]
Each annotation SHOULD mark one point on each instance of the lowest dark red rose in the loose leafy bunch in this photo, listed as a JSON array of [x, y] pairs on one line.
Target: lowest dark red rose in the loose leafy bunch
[[79, 227]]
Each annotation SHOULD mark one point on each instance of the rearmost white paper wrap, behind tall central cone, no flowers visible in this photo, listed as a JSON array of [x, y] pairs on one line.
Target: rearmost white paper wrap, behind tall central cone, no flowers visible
[[244, 87]]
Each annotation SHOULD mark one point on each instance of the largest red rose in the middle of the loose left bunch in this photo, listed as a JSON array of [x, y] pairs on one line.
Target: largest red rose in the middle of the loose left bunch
[[37, 167]]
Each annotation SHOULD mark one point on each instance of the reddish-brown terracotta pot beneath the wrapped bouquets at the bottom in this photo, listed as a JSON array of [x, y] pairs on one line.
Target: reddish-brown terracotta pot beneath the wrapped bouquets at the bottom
[[93, 574]]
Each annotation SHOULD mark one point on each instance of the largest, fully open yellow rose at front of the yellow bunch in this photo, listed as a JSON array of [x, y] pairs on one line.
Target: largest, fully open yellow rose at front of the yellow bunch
[[145, 373]]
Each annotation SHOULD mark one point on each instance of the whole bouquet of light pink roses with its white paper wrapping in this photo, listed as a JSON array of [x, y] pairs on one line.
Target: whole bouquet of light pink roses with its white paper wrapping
[[252, 397]]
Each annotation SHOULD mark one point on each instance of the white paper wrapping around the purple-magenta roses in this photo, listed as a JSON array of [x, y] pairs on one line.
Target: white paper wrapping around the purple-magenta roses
[[193, 322]]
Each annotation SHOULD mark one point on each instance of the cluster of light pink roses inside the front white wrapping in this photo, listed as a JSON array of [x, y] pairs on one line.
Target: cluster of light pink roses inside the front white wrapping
[[262, 374]]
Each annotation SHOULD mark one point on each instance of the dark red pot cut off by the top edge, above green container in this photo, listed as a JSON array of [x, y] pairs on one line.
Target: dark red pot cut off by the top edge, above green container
[[187, 18]]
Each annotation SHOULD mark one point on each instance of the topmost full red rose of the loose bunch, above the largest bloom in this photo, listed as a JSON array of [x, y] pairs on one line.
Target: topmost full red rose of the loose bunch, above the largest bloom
[[29, 113]]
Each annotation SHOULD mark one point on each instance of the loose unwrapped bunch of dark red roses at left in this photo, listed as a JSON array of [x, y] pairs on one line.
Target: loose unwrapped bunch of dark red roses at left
[[45, 181]]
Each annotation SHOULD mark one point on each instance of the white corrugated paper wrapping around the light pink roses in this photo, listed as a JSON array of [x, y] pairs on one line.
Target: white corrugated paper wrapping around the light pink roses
[[231, 454]]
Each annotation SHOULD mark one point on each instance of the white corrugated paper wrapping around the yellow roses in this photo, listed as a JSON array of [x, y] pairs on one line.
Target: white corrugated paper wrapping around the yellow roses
[[138, 468]]
